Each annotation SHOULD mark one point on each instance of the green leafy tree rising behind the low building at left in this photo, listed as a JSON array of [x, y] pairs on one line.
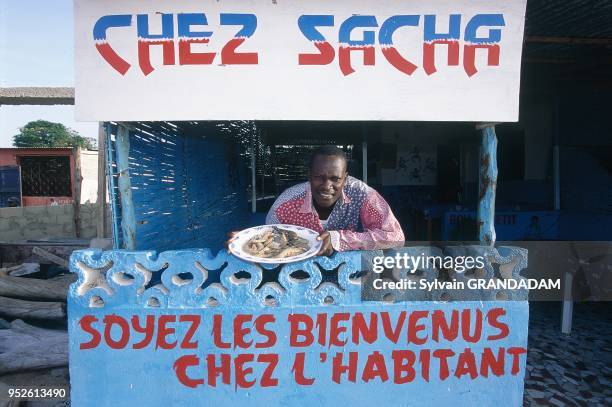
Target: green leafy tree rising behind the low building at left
[[41, 133]]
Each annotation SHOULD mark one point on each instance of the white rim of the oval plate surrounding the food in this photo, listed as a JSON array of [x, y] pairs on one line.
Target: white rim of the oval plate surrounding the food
[[243, 236]]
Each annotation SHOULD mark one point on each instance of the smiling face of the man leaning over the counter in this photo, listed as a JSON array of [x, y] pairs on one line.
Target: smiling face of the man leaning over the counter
[[327, 178]]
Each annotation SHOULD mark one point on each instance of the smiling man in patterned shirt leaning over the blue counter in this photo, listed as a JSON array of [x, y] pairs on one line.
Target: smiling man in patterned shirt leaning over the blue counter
[[348, 214]]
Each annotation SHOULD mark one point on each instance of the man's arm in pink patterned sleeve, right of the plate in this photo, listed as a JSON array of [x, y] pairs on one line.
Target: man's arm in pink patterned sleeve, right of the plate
[[381, 228]]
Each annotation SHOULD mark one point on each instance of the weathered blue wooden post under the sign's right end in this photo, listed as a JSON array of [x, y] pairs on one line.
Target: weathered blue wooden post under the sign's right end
[[487, 185]]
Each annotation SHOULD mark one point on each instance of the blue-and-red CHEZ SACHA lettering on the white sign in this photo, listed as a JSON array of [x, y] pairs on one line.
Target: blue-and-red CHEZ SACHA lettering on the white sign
[[189, 31]]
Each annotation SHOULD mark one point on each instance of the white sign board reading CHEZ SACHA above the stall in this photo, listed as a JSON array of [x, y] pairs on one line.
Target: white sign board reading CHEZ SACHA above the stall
[[436, 60]]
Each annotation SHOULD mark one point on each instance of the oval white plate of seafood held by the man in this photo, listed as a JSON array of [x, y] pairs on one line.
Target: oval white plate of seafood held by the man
[[274, 244]]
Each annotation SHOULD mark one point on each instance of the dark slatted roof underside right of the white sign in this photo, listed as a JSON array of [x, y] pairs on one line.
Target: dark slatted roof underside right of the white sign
[[567, 42]]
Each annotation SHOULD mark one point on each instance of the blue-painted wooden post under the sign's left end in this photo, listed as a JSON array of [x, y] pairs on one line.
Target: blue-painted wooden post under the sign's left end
[[128, 218]]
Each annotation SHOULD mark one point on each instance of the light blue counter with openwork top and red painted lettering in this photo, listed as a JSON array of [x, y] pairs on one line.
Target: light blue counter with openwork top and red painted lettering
[[210, 333]]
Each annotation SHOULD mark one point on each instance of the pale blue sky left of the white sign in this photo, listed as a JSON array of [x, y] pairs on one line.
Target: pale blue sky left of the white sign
[[37, 49]]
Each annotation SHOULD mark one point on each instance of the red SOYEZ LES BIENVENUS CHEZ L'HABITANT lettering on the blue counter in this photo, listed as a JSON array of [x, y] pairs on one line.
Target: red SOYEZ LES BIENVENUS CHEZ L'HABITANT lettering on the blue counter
[[249, 350]]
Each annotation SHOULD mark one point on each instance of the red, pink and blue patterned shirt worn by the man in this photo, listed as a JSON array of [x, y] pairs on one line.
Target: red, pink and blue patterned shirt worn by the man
[[360, 220]]
